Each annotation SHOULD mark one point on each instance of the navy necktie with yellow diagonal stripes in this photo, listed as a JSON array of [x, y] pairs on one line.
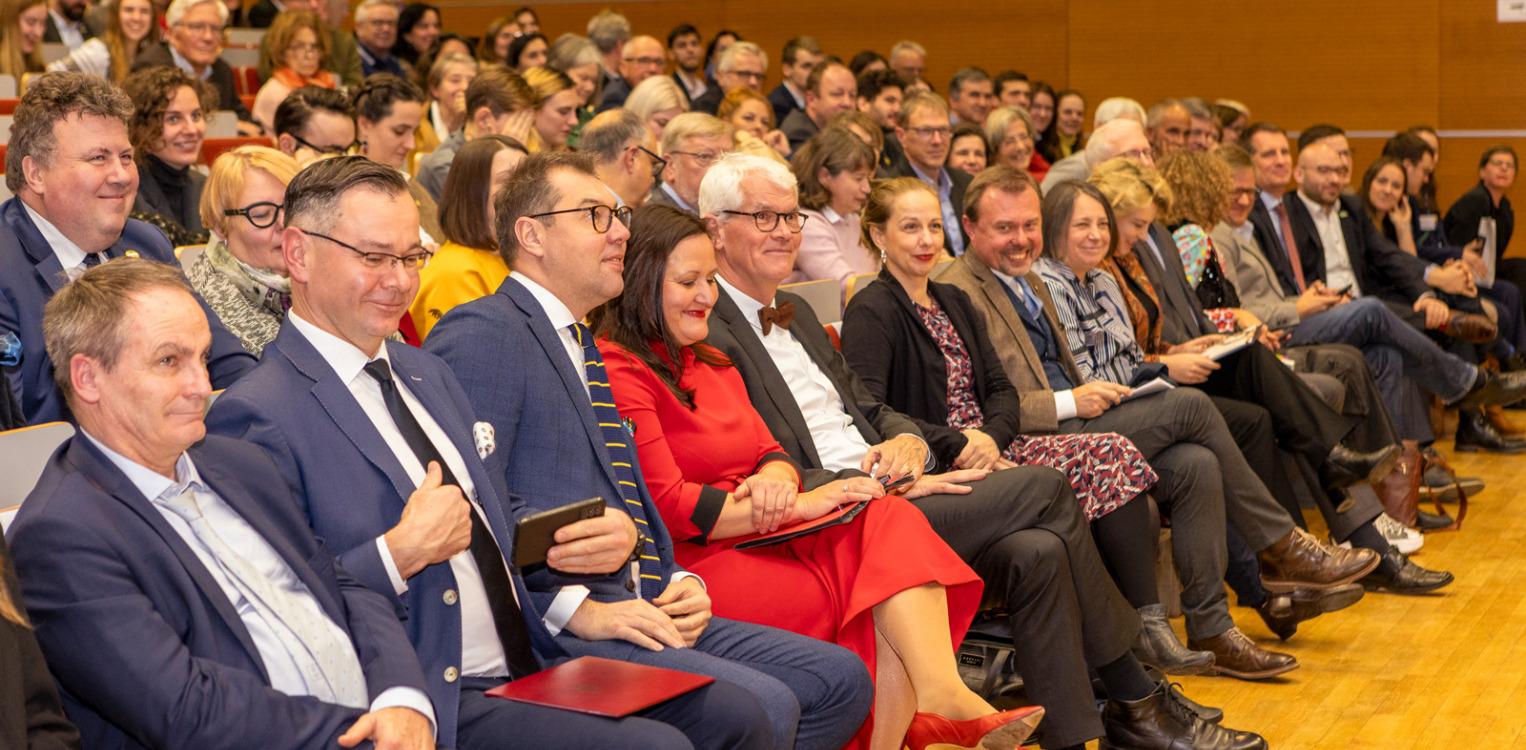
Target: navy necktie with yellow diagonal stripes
[[622, 457]]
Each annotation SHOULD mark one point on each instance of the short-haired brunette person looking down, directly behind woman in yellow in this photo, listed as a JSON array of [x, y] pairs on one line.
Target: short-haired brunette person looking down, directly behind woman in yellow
[[498, 102]]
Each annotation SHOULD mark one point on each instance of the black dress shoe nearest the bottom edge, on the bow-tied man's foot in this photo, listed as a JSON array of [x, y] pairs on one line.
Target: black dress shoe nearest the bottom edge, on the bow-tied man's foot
[[1162, 722]]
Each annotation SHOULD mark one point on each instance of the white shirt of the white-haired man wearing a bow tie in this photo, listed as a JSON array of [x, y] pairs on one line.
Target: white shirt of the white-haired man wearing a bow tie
[[839, 442]]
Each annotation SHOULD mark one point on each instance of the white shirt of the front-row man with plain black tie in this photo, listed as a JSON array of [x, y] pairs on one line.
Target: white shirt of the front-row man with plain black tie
[[481, 651]]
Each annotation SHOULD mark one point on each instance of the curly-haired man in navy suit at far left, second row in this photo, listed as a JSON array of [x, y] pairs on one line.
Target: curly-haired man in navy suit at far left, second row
[[71, 169]]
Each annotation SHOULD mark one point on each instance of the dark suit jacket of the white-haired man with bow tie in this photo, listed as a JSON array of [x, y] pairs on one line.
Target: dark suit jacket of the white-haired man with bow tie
[[771, 396]]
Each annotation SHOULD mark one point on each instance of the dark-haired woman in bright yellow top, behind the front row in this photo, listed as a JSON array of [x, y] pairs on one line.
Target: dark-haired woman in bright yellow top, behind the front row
[[468, 265]]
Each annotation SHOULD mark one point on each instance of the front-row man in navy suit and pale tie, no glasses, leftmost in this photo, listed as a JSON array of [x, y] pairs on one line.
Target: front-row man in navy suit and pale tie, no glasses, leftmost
[[176, 589]]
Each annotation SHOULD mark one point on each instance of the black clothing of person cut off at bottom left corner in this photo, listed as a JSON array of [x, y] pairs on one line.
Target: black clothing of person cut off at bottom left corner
[[30, 711]]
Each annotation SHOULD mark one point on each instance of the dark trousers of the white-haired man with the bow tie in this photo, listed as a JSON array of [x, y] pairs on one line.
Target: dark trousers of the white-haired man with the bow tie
[[1025, 534]]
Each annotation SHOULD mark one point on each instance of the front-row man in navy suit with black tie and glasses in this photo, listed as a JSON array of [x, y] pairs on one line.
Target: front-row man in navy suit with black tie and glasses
[[381, 444]]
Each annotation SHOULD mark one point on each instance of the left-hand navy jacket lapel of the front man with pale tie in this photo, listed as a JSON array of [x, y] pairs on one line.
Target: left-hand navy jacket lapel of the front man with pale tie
[[111, 480]]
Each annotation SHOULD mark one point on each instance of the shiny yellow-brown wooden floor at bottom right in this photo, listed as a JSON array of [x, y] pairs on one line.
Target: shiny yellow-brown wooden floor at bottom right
[[1444, 671]]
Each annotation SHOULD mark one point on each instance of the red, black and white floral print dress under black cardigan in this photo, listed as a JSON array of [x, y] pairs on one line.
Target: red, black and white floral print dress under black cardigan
[[1104, 468]]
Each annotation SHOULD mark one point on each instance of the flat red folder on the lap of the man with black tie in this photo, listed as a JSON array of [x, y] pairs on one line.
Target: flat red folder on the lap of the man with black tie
[[600, 687]]
